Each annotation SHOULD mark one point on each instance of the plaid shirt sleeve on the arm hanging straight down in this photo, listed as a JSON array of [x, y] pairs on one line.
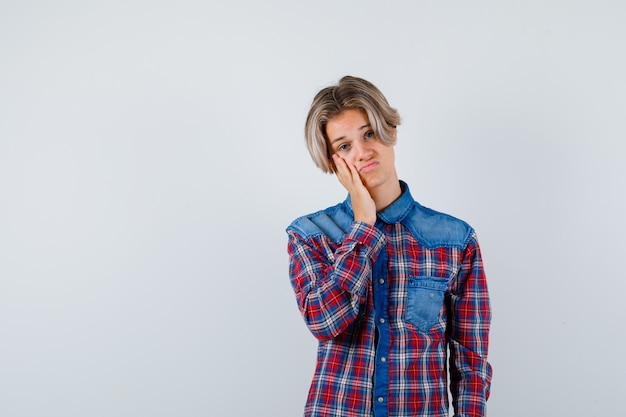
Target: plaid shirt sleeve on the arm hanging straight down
[[470, 373]]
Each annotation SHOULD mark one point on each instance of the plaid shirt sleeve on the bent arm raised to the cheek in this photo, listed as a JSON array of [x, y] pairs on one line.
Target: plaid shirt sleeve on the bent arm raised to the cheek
[[330, 290]]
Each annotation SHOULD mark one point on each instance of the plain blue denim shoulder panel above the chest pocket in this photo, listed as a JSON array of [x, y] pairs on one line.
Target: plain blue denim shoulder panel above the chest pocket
[[434, 229]]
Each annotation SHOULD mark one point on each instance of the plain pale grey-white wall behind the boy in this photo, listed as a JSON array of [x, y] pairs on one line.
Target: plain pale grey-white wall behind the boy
[[152, 154]]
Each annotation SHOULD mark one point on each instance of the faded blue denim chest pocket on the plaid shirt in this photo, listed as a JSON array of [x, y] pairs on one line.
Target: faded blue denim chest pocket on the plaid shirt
[[425, 298]]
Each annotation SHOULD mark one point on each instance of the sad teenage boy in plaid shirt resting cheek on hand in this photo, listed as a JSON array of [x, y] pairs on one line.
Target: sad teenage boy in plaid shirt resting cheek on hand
[[386, 285]]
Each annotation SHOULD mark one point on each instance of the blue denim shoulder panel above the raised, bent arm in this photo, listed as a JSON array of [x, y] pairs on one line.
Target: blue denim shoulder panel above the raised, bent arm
[[333, 222]]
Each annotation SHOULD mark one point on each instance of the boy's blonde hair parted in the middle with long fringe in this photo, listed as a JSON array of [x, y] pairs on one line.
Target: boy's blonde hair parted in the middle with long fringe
[[349, 93]]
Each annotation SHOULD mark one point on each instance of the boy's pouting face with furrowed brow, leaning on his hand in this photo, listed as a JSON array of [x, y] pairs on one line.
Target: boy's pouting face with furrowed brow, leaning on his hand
[[350, 136]]
